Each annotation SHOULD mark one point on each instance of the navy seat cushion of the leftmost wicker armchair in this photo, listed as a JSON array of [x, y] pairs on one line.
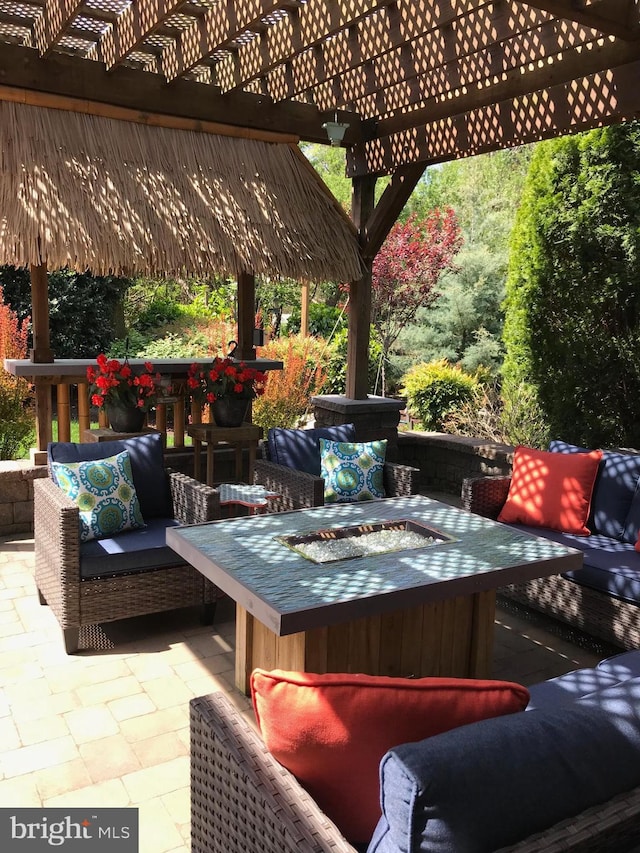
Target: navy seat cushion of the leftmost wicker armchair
[[133, 551]]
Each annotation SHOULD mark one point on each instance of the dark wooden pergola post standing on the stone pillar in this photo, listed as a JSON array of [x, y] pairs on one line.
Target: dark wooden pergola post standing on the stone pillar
[[357, 385]]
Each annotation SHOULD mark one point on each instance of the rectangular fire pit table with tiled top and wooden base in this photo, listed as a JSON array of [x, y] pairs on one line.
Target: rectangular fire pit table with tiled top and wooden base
[[426, 609]]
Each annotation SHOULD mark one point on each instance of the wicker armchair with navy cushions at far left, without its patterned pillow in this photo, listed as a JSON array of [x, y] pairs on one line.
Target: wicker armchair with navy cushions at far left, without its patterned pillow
[[133, 573]]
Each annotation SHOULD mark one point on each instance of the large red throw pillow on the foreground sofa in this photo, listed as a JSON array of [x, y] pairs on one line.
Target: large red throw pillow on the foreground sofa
[[332, 730]]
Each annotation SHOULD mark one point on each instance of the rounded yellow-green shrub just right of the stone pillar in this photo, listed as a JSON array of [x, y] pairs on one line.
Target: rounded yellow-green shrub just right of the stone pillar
[[434, 391]]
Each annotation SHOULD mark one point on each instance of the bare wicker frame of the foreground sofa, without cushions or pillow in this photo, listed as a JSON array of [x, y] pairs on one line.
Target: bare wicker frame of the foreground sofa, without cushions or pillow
[[243, 801]]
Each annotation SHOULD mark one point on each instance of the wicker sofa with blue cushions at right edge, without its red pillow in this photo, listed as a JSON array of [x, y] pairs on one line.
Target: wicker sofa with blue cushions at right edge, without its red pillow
[[602, 598]]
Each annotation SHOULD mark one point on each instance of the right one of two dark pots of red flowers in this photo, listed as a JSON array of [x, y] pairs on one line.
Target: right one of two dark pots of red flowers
[[227, 386]]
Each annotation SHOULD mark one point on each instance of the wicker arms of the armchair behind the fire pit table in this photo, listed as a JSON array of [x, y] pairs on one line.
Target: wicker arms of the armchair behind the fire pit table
[[300, 490]]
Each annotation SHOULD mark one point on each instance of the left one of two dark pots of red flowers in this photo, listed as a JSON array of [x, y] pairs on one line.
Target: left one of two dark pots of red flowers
[[126, 395]]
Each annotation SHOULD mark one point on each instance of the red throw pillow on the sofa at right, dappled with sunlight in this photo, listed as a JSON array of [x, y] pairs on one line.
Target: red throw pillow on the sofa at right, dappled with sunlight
[[551, 489]]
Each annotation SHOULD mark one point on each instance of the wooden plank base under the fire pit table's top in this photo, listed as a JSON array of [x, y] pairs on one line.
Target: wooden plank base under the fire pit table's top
[[446, 638]]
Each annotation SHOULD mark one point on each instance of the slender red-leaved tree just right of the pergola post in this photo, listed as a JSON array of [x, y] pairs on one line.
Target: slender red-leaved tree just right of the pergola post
[[406, 271]]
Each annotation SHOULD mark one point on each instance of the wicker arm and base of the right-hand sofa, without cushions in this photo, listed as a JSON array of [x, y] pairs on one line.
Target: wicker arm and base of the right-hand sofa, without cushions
[[594, 612]]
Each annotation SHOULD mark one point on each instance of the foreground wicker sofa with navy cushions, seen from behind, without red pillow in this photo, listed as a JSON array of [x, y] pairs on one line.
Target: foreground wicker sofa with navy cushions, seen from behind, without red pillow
[[243, 801]]
